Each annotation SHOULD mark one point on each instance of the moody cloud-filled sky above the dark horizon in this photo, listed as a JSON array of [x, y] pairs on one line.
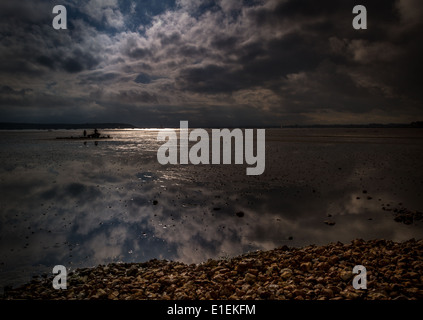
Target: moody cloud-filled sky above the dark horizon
[[213, 63]]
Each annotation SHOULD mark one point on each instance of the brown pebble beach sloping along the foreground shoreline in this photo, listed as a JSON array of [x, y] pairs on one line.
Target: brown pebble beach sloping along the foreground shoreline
[[394, 272]]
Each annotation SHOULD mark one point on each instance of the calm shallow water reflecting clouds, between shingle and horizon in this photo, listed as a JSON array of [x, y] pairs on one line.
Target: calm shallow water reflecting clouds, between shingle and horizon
[[63, 202]]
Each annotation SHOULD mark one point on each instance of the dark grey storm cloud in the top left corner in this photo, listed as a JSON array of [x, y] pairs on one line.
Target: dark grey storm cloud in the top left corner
[[30, 43]]
